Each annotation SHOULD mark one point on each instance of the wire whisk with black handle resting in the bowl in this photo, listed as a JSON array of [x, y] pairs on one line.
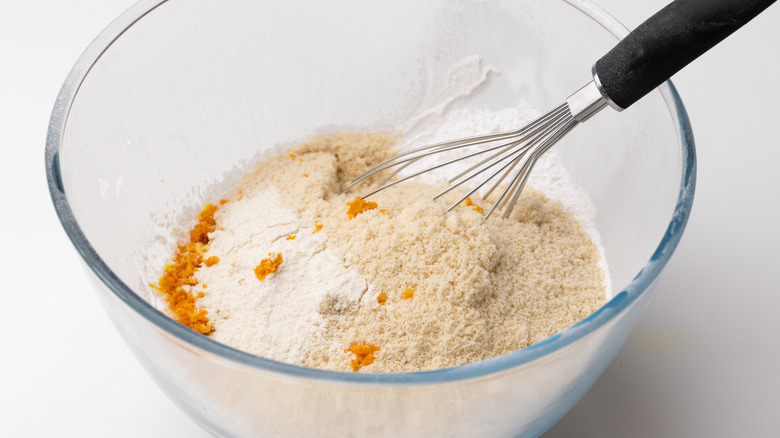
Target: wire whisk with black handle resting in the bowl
[[648, 56]]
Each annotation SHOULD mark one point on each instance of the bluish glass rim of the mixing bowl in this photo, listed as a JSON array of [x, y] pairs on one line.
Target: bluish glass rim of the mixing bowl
[[616, 306]]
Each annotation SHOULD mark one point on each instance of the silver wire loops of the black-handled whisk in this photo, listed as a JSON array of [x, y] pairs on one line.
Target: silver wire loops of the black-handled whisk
[[507, 156]]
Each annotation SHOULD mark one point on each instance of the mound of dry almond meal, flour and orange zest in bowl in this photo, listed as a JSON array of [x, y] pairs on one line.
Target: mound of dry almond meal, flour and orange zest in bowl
[[290, 269]]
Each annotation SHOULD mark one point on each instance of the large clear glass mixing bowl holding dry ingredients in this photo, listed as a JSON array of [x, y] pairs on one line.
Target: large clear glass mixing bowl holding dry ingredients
[[175, 97]]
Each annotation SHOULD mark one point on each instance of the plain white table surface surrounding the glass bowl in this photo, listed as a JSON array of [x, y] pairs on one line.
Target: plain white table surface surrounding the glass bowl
[[703, 361]]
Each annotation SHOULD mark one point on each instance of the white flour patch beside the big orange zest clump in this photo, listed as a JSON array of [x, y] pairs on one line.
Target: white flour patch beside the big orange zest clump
[[275, 318]]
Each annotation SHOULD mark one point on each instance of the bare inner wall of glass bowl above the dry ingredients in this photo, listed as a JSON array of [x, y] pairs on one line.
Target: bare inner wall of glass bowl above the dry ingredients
[[194, 92]]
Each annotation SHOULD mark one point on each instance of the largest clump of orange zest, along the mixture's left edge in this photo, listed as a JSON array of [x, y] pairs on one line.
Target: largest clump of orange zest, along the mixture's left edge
[[175, 285]]
